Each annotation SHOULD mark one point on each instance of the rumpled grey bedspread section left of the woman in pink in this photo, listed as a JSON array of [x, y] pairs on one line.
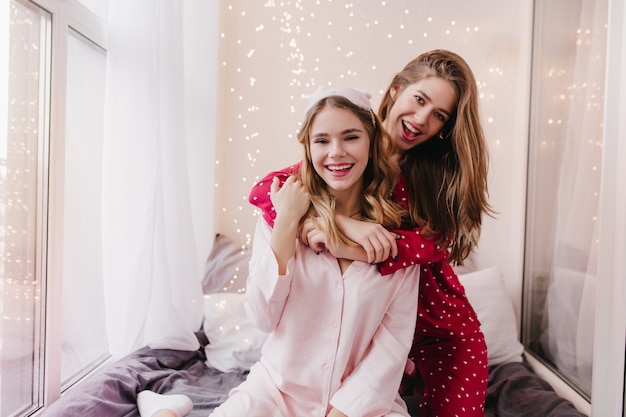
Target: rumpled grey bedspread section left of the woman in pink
[[112, 392]]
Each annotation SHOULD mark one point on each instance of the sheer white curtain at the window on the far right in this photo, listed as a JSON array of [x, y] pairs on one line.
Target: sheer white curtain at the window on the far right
[[570, 303]]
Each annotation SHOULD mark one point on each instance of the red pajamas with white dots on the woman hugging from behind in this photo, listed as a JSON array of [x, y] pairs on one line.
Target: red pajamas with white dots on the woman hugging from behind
[[449, 350]]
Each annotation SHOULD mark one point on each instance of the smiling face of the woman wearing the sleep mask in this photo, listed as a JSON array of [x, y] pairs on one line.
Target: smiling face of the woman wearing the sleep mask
[[340, 147]]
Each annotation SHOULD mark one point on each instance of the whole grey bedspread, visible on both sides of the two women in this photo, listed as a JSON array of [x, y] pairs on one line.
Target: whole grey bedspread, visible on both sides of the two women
[[514, 390]]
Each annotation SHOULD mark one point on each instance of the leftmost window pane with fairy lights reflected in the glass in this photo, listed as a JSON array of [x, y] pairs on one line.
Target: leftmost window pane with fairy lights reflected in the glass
[[23, 195]]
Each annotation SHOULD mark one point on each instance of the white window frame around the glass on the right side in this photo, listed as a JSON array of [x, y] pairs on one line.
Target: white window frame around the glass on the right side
[[609, 373]]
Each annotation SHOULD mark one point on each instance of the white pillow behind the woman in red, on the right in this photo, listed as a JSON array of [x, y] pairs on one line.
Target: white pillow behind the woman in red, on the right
[[487, 294]]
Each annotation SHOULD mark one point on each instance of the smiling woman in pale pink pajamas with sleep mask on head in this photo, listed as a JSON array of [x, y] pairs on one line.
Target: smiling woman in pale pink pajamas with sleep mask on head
[[338, 335]]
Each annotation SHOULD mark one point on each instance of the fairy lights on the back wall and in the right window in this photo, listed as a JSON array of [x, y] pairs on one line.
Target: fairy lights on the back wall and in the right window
[[272, 55]]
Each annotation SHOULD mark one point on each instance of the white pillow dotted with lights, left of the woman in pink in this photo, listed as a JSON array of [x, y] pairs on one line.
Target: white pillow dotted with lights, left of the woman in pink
[[234, 342]]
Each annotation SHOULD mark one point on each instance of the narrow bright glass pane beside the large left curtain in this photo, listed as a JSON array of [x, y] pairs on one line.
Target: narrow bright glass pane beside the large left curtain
[[84, 340]]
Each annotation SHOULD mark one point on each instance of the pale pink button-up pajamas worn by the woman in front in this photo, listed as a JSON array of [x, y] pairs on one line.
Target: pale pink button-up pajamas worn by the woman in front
[[335, 340]]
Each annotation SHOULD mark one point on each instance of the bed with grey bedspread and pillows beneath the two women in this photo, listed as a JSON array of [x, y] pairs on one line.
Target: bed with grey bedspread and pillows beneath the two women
[[229, 346]]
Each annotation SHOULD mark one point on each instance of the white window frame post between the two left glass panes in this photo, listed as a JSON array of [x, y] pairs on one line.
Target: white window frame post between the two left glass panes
[[66, 16]]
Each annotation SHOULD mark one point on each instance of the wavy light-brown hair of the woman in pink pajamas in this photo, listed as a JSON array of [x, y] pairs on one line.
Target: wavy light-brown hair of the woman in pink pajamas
[[378, 179]]
